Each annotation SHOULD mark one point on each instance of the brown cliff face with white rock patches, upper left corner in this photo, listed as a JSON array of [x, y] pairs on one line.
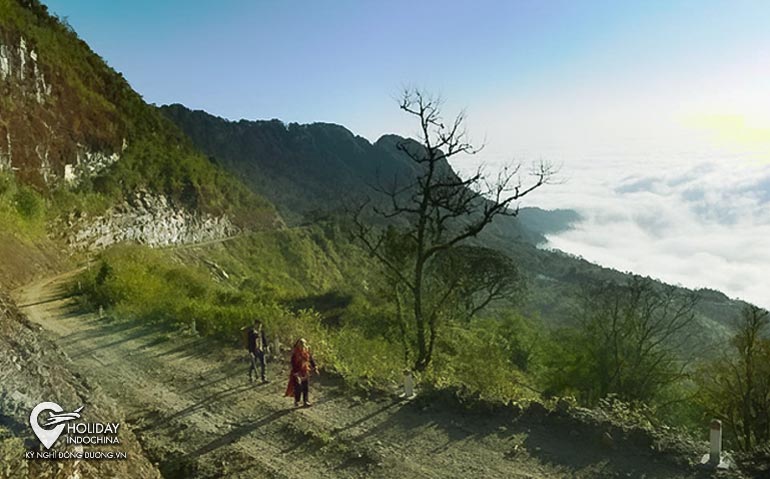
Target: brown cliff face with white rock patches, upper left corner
[[49, 133]]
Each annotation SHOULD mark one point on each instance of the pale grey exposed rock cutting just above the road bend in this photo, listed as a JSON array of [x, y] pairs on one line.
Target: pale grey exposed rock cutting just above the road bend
[[146, 219]]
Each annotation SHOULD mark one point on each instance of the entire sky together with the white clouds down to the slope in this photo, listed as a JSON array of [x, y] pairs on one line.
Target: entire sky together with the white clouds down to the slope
[[659, 111]]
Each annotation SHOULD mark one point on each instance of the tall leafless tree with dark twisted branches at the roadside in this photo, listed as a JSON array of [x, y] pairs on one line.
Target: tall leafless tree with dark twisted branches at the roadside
[[434, 212]]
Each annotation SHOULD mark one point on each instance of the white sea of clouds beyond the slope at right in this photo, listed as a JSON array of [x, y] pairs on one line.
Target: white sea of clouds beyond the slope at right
[[700, 224]]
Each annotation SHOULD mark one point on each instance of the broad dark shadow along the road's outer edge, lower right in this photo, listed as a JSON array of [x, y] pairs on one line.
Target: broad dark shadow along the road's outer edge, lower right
[[549, 438]]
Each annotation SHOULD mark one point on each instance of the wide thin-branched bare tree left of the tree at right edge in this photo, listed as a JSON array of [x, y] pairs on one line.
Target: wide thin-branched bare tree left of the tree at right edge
[[627, 341]]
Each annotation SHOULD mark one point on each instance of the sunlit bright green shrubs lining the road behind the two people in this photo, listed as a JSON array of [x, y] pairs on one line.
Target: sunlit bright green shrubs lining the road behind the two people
[[138, 283]]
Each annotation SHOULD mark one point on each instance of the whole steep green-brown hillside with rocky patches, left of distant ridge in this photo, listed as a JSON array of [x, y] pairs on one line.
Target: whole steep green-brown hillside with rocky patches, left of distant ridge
[[69, 121]]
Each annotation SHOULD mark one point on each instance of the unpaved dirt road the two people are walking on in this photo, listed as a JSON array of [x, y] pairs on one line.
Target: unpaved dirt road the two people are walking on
[[196, 415]]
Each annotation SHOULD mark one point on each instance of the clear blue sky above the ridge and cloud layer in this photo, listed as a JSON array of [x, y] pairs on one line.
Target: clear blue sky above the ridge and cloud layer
[[344, 61]]
